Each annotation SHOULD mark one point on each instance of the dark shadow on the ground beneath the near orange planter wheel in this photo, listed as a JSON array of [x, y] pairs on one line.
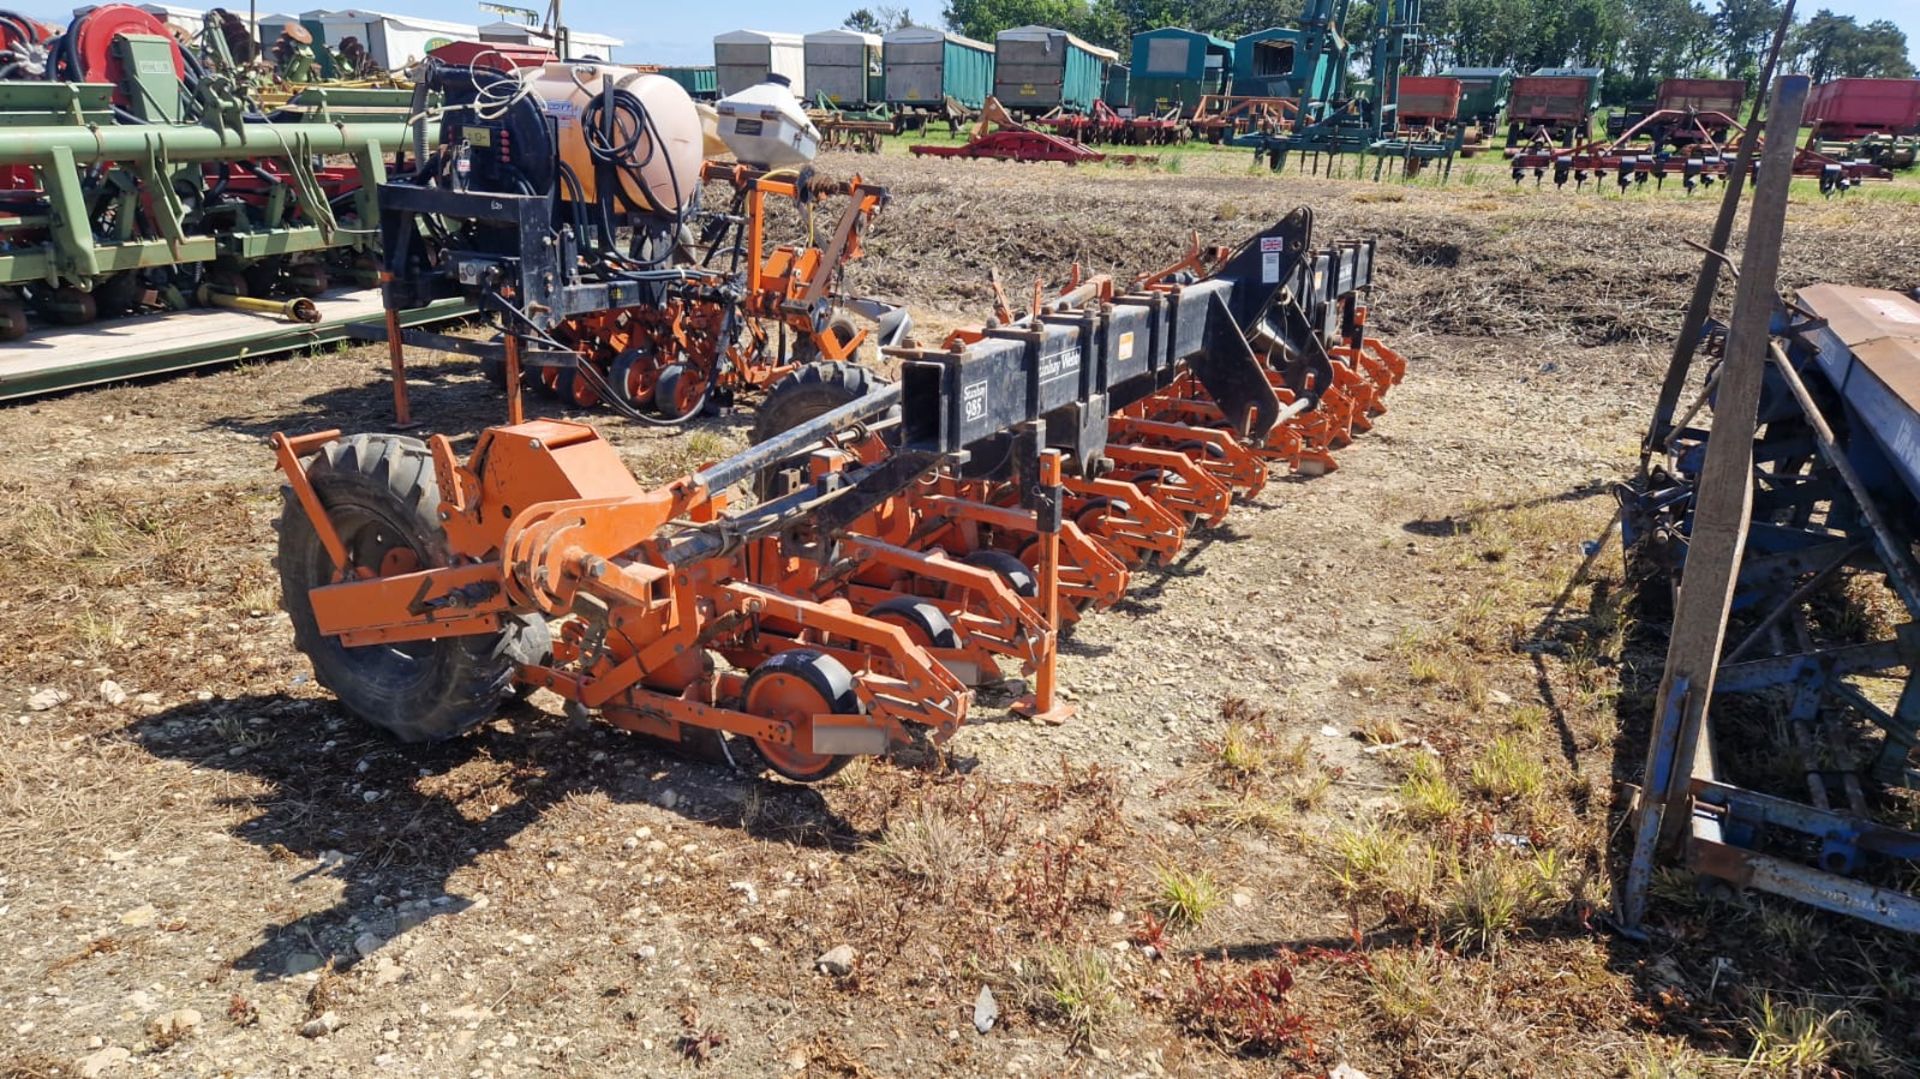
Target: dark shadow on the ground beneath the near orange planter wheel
[[396, 823]]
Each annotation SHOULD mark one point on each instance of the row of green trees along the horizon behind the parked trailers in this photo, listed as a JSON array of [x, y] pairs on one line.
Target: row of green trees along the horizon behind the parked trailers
[[1637, 41]]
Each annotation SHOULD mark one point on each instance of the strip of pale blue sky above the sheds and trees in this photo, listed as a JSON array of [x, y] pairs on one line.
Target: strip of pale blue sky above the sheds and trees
[[683, 34]]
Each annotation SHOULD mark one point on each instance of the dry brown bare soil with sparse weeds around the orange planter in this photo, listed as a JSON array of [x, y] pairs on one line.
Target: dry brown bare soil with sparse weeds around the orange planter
[[1174, 882]]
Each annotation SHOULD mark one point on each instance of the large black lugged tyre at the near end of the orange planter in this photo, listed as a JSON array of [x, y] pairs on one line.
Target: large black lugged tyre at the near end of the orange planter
[[381, 498]]
